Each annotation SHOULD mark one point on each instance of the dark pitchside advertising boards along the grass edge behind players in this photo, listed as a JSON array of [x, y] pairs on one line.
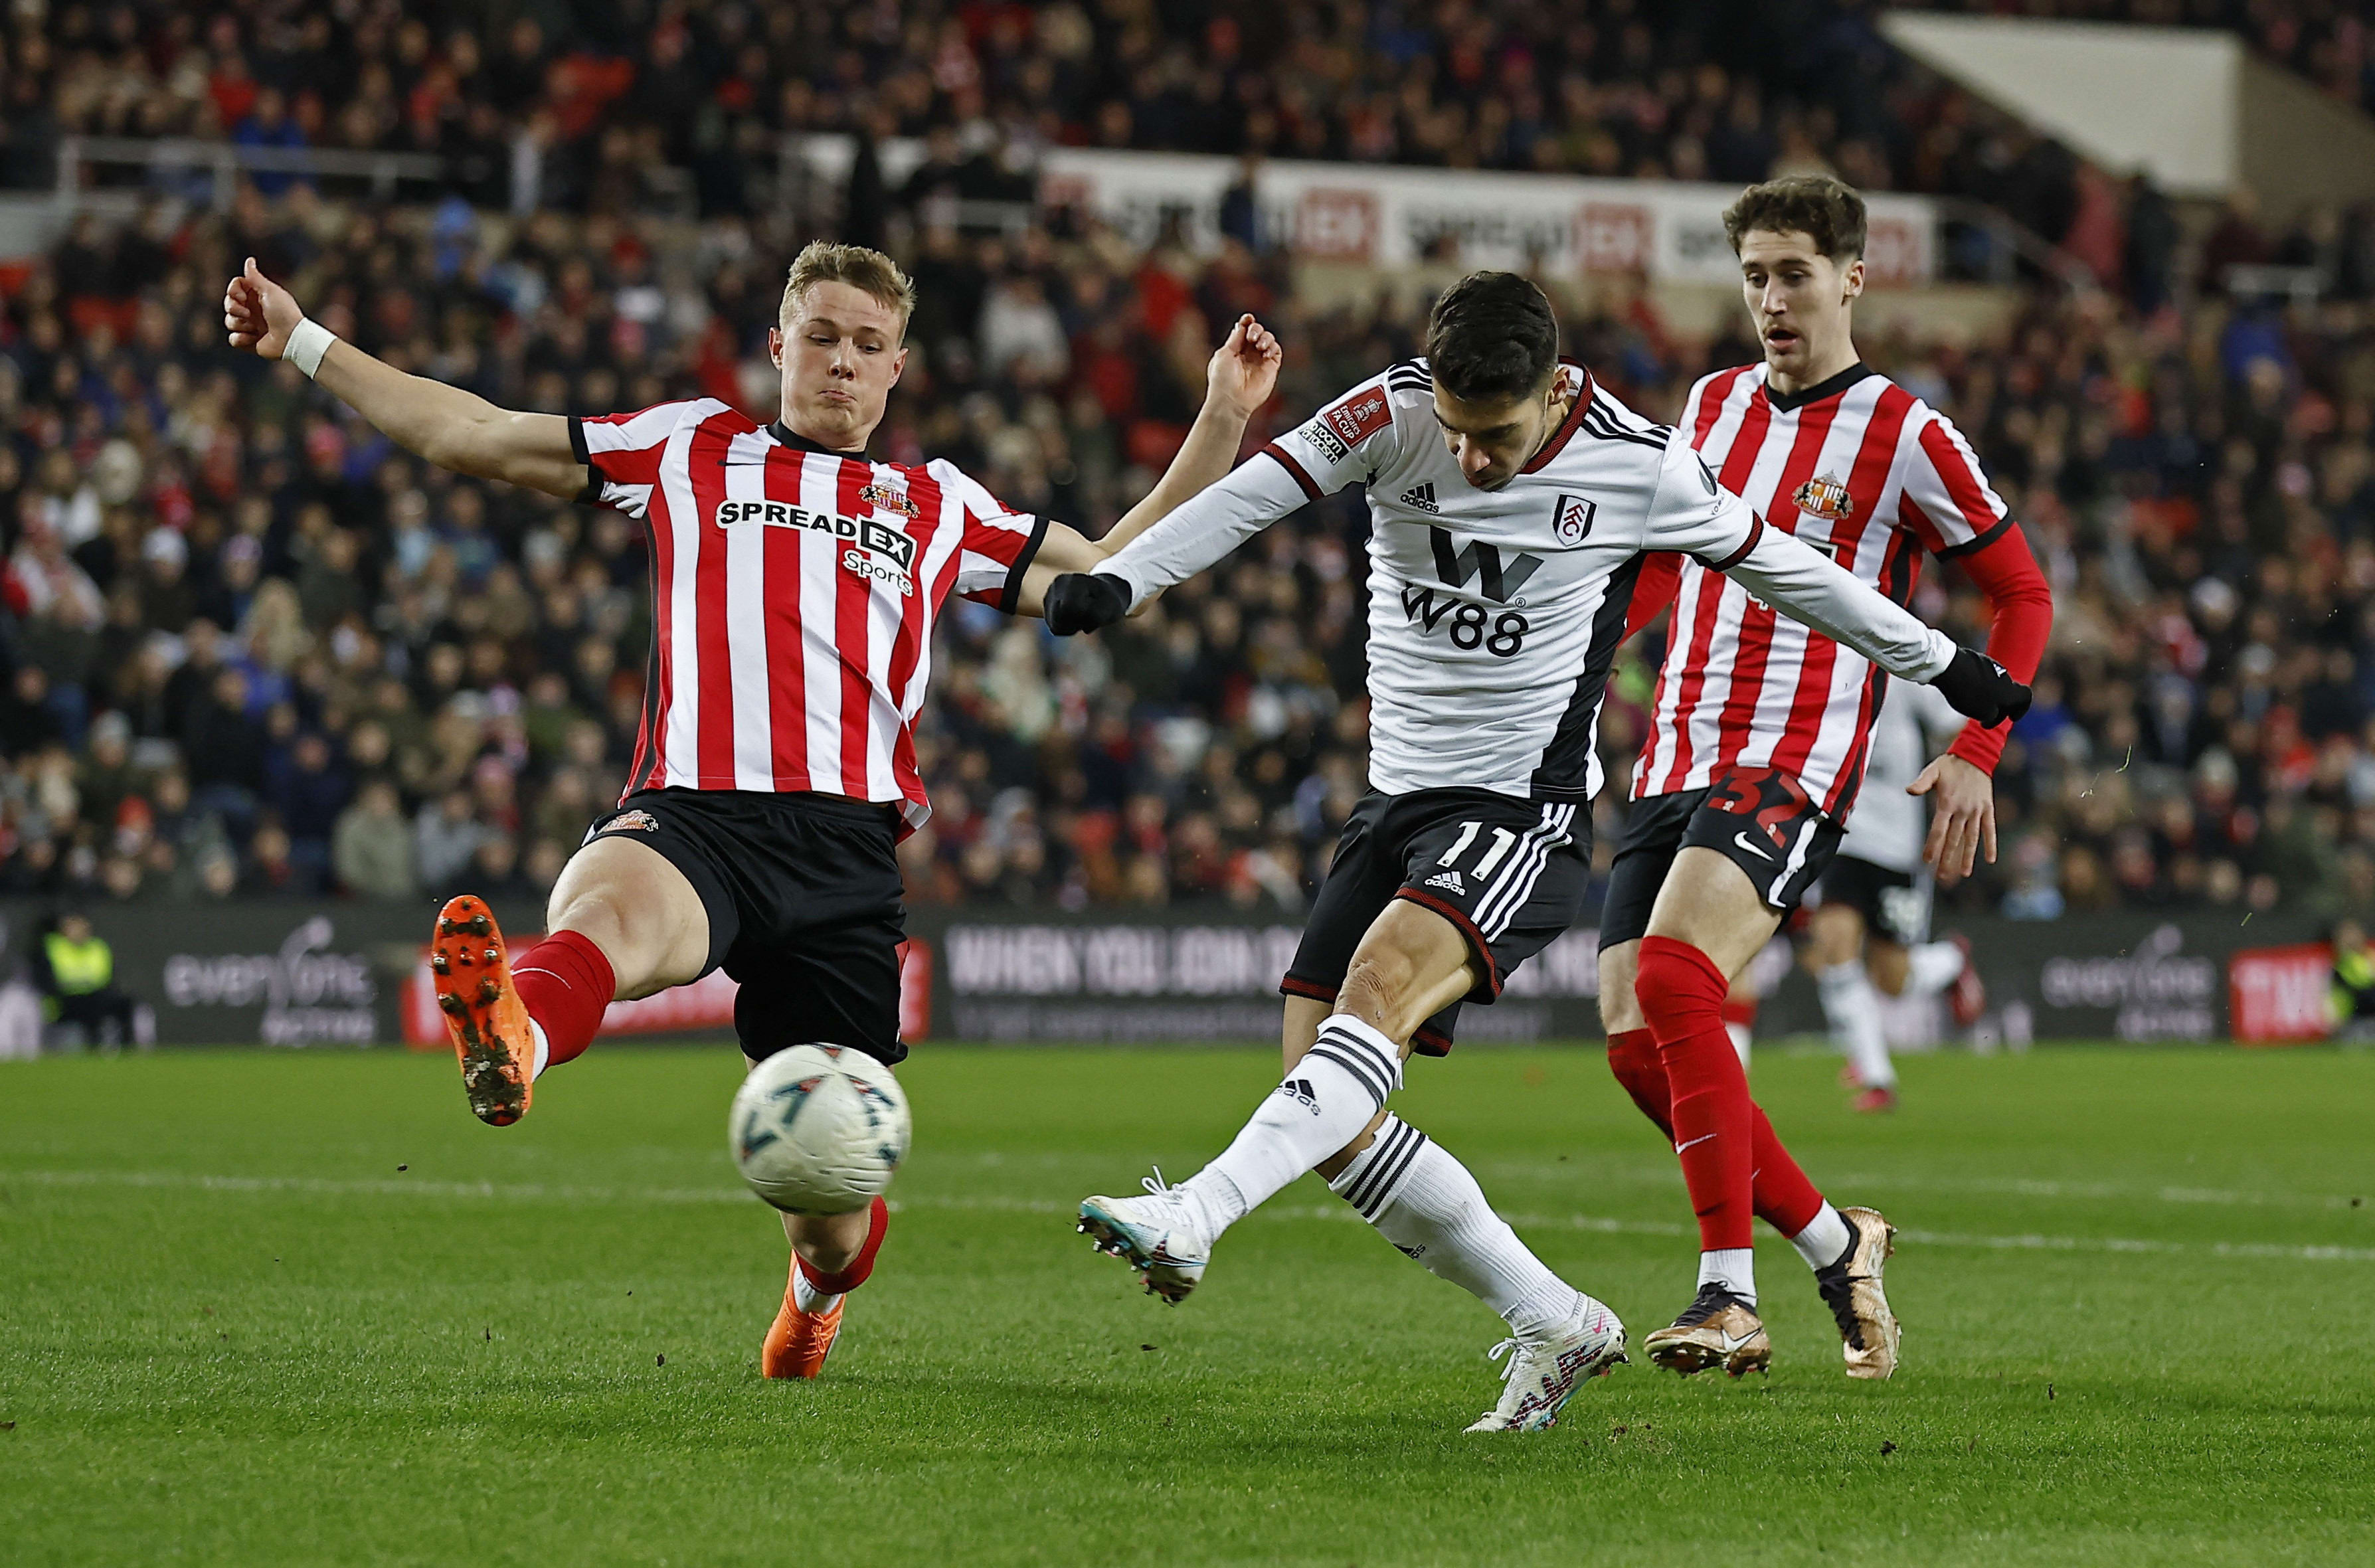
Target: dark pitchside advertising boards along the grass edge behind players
[[329, 973]]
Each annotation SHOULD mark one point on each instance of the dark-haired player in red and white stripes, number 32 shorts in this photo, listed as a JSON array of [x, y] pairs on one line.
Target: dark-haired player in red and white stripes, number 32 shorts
[[1759, 742]]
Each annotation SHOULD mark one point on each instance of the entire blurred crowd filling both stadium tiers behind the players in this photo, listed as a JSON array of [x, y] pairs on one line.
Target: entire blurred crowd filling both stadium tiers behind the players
[[253, 650]]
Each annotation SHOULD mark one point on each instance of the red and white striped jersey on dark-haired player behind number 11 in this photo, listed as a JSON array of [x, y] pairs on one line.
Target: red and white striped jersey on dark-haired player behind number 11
[[1863, 472]]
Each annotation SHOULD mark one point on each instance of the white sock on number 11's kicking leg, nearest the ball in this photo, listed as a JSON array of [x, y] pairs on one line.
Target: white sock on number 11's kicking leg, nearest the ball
[[1319, 1108]]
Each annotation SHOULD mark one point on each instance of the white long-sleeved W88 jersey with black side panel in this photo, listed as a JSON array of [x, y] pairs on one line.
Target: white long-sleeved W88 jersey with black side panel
[[1495, 614]]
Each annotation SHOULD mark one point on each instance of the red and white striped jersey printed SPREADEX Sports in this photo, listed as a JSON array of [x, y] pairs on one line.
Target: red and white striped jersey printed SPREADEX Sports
[[794, 595]]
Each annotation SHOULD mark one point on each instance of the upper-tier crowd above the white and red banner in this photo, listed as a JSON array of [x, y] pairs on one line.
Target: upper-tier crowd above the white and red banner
[[590, 108]]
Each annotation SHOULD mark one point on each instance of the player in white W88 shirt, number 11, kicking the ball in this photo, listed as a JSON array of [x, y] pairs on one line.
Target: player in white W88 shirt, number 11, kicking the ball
[[1512, 502]]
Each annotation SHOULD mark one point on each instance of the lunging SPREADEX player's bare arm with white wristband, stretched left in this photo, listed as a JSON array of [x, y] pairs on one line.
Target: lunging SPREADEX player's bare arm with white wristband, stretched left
[[426, 417]]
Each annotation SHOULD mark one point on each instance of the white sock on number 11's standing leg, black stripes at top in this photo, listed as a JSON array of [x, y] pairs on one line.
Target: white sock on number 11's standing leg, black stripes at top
[[1433, 1210]]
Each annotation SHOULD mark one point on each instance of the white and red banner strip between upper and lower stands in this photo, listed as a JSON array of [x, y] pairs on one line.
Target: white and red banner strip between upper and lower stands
[[1376, 215]]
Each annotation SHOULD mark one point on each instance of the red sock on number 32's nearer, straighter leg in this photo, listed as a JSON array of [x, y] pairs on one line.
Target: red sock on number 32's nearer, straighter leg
[[1683, 994]]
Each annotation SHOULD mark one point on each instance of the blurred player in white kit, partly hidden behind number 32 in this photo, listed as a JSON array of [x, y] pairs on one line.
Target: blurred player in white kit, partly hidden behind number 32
[[1868, 935]]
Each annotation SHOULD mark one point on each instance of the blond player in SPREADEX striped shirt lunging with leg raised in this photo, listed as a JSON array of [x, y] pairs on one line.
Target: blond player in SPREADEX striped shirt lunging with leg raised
[[794, 598]]
